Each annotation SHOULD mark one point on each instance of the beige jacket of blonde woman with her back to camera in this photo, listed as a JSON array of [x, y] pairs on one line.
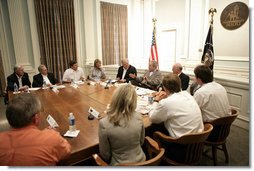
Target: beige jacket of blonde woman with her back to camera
[[122, 144]]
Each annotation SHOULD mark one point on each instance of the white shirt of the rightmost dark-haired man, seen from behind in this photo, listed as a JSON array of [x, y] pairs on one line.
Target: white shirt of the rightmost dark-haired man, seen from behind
[[213, 101]]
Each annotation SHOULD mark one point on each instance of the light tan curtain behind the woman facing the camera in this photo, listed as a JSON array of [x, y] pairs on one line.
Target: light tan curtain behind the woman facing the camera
[[114, 26]]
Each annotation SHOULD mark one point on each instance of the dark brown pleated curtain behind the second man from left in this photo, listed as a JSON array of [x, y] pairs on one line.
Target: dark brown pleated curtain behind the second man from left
[[56, 30]]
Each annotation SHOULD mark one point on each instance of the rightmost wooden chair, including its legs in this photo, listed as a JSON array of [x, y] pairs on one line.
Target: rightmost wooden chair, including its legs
[[217, 138]]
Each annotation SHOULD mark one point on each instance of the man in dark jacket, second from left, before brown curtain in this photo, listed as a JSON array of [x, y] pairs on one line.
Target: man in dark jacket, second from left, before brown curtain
[[43, 76]]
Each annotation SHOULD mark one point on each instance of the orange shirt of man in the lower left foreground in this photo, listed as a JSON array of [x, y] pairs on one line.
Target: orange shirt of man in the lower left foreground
[[30, 146]]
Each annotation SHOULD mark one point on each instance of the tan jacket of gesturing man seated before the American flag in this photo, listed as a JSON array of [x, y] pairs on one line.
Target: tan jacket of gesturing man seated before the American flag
[[152, 82]]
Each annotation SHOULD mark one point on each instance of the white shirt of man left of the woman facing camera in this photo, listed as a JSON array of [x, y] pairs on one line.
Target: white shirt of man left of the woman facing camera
[[73, 75]]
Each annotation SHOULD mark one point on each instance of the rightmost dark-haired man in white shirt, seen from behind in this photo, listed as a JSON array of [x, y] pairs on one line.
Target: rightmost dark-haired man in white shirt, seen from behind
[[211, 97]]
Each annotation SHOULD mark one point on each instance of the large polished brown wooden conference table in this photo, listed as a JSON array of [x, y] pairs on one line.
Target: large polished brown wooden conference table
[[78, 101]]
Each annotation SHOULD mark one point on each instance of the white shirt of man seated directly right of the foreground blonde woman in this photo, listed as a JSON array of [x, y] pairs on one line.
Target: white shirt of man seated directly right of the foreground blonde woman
[[179, 112]]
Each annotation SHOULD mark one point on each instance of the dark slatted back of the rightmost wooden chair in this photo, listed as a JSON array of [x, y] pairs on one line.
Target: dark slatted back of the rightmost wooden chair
[[221, 127]]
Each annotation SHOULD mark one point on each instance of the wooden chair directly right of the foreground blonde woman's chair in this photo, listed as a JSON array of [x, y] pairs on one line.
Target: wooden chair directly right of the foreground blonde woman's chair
[[185, 150]]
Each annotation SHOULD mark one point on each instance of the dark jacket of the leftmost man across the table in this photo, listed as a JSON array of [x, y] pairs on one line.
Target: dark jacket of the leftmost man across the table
[[11, 79]]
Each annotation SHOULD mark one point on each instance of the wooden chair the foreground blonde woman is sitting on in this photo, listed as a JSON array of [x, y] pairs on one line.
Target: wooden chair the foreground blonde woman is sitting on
[[151, 148]]
